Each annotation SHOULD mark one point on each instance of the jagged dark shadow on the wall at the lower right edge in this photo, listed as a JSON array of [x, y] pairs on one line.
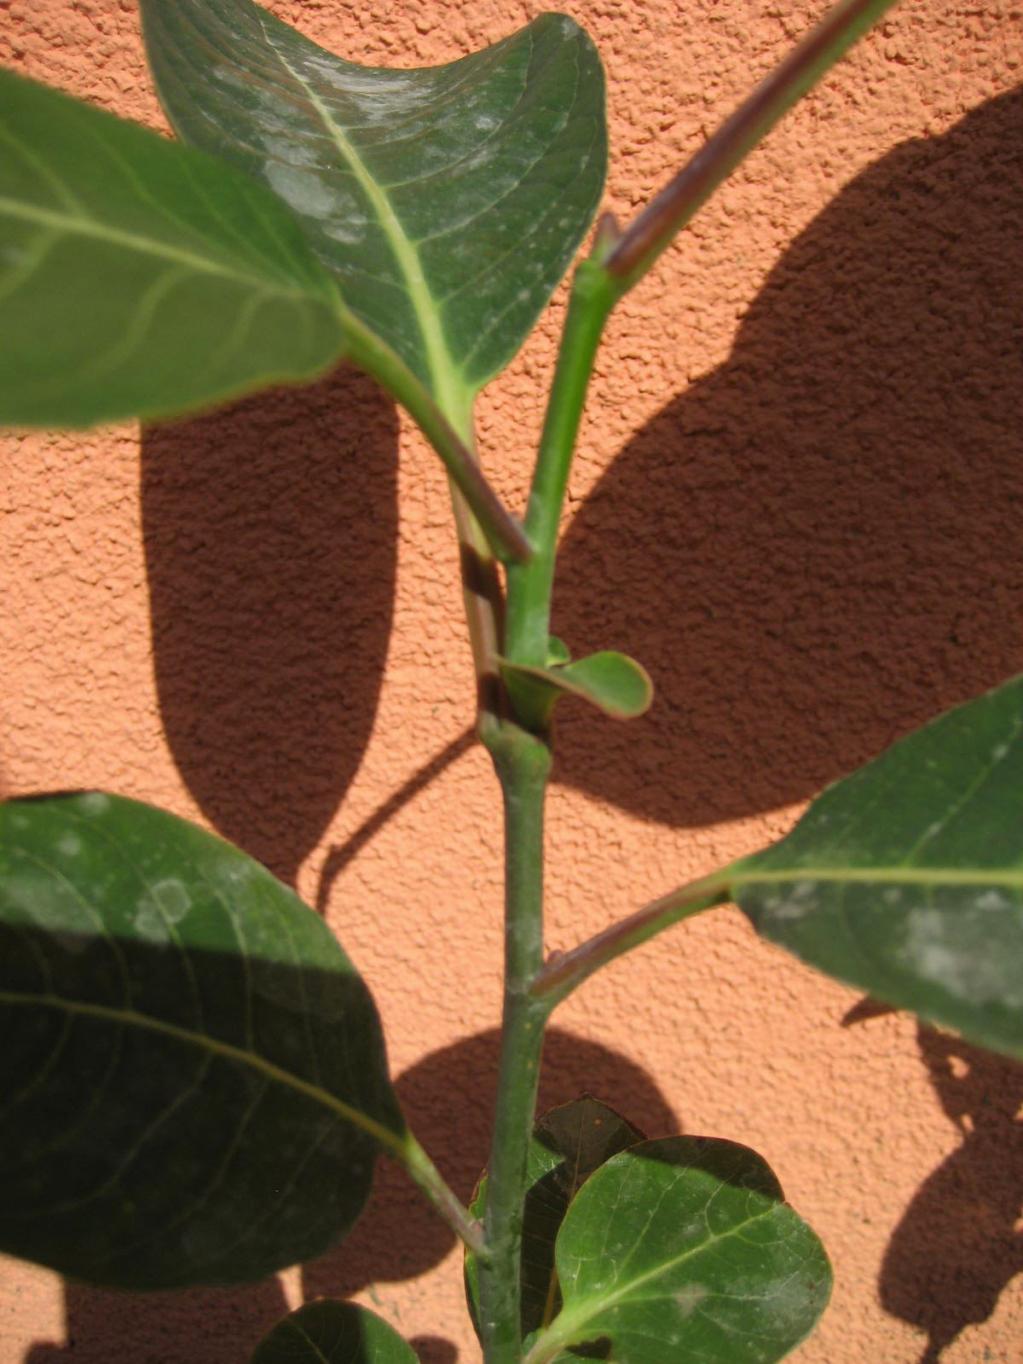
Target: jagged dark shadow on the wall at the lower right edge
[[960, 1242]]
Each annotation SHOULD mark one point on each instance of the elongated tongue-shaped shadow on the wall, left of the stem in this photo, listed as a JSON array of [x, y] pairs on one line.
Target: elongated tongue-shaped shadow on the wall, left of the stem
[[271, 541]]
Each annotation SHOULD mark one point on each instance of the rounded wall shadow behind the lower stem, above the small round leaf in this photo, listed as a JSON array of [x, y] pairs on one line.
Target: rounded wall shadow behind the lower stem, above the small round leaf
[[449, 1099]]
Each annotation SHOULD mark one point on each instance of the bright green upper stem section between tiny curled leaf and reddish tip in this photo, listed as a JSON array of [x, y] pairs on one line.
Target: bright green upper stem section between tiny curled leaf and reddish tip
[[530, 584]]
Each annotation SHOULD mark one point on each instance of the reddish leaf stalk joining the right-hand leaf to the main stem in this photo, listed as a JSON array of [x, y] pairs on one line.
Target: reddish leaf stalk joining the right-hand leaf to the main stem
[[568, 970]]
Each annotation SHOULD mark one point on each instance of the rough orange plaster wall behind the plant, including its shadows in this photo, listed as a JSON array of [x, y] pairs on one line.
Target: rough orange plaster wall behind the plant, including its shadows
[[799, 501]]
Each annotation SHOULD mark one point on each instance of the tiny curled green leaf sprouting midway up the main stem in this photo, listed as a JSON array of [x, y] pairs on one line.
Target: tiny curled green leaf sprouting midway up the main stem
[[613, 683]]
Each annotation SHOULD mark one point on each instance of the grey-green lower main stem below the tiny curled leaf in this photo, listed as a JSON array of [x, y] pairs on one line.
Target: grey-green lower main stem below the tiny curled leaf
[[523, 765]]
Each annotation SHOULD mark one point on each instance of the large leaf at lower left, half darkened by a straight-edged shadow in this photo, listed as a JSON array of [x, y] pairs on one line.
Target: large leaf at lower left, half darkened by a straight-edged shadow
[[194, 1084]]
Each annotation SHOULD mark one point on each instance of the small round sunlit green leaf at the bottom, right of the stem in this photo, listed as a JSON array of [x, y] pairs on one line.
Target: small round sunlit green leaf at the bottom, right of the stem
[[684, 1250]]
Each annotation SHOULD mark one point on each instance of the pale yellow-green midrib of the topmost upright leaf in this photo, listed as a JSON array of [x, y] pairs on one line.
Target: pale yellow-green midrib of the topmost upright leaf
[[440, 362]]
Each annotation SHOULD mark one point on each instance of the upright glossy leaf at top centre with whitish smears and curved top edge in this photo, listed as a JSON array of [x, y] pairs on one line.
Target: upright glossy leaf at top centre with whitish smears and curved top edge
[[448, 200]]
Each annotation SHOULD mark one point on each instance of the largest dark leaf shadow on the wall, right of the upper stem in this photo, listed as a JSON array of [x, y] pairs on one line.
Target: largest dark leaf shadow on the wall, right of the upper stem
[[818, 546]]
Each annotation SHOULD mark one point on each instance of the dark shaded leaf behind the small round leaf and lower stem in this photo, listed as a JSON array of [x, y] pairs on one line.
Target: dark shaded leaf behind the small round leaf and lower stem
[[568, 1145]]
